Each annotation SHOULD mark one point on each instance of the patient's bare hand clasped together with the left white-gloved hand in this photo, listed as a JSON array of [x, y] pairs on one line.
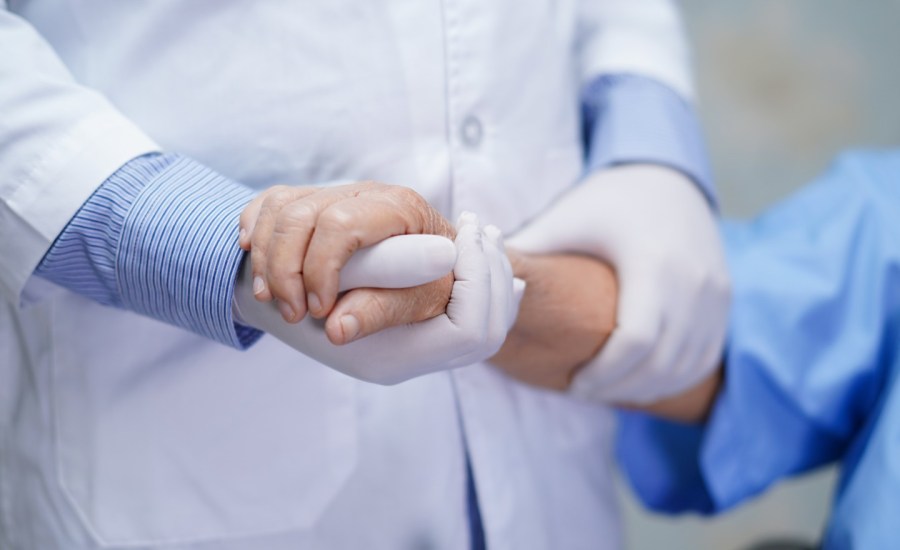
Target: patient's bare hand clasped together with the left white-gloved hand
[[301, 238]]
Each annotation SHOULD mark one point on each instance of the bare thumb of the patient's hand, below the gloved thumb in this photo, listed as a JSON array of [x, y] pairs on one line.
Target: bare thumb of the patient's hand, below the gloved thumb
[[365, 311]]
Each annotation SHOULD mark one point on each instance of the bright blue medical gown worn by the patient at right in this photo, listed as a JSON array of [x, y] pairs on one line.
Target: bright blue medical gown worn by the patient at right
[[811, 363]]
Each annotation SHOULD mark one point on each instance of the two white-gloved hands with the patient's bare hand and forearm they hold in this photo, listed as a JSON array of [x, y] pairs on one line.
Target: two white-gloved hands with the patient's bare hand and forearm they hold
[[663, 311]]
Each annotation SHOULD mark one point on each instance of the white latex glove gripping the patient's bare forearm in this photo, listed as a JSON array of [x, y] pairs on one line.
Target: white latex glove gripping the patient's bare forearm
[[657, 230]]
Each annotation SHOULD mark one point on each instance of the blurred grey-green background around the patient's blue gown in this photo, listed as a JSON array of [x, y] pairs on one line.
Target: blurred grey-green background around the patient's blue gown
[[783, 86]]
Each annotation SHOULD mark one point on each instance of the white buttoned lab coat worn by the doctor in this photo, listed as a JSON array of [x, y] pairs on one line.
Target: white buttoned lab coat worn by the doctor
[[119, 431]]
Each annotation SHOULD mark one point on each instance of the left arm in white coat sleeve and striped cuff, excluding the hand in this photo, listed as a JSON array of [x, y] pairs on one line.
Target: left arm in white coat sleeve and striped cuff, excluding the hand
[[60, 142]]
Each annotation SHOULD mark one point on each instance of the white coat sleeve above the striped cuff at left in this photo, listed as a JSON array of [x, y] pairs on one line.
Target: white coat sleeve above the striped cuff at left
[[58, 142]]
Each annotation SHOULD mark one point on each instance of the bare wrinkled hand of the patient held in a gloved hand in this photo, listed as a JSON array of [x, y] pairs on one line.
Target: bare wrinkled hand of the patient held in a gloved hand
[[301, 237]]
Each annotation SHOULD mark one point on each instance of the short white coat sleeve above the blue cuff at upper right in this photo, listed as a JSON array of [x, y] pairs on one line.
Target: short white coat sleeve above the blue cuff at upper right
[[642, 37]]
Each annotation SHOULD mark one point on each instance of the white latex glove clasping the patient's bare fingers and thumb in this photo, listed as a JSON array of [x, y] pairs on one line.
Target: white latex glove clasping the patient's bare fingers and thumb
[[483, 306]]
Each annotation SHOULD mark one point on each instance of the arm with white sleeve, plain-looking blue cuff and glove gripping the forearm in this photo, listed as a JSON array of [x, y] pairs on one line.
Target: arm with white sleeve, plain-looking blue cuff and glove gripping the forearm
[[639, 209]]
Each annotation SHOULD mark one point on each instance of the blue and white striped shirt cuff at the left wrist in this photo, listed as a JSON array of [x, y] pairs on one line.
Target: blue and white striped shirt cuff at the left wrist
[[159, 238]]
